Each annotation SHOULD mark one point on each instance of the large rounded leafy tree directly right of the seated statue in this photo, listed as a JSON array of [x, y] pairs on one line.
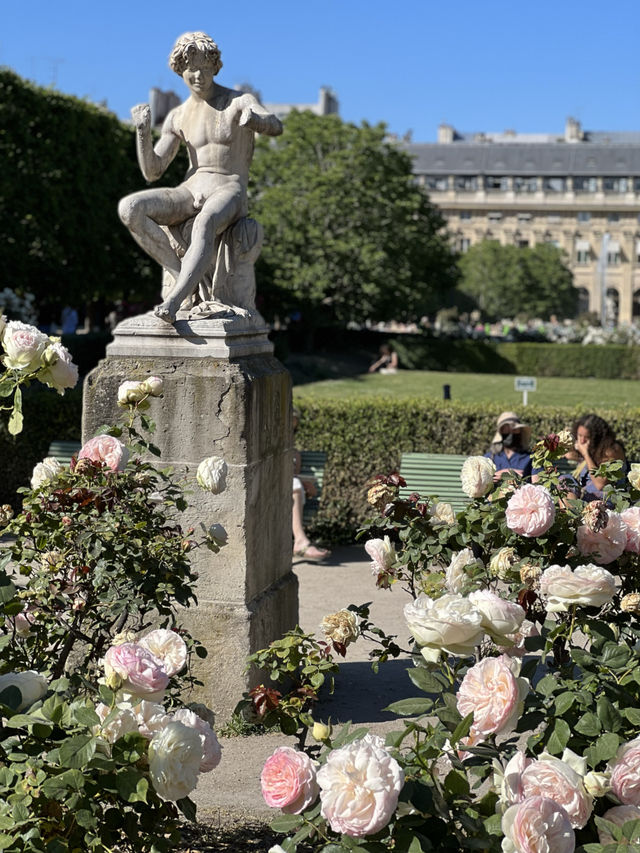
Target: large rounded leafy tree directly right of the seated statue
[[349, 236]]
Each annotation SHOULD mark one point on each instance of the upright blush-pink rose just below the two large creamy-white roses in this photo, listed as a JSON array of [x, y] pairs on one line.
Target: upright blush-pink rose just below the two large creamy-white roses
[[494, 695]]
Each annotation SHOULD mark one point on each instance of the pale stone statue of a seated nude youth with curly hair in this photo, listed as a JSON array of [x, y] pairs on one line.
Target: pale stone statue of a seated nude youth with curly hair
[[199, 231]]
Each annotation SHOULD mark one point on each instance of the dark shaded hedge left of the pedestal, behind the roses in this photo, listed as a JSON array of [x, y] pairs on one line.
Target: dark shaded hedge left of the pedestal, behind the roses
[[47, 416]]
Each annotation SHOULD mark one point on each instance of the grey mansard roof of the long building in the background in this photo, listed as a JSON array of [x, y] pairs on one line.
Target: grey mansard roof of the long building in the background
[[522, 158]]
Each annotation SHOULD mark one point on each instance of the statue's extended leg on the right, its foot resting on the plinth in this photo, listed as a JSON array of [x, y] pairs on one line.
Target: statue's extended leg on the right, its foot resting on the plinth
[[219, 212]]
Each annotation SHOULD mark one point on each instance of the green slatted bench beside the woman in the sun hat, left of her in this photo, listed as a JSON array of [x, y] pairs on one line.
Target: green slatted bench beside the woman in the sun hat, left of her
[[434, 474]]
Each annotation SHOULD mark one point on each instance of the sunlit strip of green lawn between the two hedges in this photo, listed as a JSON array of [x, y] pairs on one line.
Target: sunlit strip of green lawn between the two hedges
[[476, 387]]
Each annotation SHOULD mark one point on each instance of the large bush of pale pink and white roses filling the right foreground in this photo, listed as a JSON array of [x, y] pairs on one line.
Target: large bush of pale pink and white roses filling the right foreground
[[524, 733]]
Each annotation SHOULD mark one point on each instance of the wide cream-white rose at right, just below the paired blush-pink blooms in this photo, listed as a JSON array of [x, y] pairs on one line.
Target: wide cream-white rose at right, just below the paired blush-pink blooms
[[588, 585]]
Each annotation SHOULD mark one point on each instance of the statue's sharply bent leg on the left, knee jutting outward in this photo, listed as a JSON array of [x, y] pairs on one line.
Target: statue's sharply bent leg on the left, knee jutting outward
[[143, 213]]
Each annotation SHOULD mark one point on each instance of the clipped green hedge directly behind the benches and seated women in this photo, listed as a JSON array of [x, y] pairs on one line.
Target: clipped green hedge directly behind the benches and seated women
[[365, 438]]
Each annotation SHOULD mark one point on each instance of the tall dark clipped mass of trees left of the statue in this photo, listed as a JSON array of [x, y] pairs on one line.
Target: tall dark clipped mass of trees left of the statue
[[65, 165]]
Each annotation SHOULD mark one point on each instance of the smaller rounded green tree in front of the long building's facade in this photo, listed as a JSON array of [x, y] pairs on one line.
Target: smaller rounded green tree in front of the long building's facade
[[506, 281]]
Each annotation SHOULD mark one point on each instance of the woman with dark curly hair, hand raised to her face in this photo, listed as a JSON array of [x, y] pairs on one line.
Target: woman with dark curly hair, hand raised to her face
[[595, 443]]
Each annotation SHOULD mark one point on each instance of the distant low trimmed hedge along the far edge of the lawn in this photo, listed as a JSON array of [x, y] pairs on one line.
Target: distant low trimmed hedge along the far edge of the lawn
[[610, 361]]
